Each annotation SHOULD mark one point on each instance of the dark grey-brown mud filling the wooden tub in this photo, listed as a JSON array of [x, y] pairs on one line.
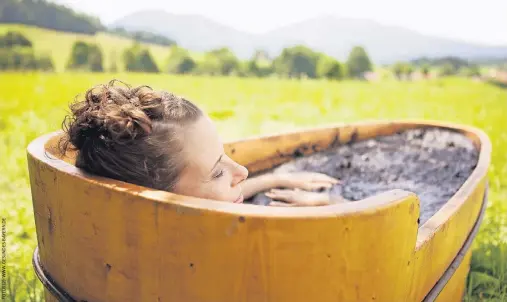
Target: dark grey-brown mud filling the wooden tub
[[433, 163]]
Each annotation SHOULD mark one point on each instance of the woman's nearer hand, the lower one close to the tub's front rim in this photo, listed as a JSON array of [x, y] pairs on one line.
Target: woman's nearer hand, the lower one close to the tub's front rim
[[298, 198]]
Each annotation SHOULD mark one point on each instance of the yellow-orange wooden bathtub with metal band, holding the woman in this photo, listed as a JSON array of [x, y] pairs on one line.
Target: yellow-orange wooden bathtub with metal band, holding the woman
[[104, 240]]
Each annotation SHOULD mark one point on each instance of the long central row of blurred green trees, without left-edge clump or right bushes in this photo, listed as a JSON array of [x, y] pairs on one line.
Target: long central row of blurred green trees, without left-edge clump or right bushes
[[294, 62]]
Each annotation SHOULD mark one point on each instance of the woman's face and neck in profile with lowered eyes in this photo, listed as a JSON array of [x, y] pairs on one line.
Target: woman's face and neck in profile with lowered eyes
[[209, 172]]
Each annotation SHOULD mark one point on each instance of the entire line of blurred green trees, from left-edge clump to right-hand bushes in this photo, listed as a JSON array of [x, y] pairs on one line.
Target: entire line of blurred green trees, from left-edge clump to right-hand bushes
[[293, 62]]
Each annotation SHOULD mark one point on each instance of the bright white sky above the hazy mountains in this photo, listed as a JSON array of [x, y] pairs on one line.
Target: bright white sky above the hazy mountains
[[483, 22]]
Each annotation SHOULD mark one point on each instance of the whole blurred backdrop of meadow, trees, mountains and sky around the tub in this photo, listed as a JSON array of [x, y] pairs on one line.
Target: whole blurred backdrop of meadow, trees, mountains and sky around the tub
[[257, 67]]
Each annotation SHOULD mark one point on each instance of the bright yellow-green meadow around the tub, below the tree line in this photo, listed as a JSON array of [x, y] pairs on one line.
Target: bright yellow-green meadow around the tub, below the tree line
[[32, 104]]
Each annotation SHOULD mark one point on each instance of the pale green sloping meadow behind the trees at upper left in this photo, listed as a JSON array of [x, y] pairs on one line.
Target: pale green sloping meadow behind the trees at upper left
[[58, 45]]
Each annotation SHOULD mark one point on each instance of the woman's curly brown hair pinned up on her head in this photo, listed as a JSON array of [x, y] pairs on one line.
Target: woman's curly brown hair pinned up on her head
[[130, 134]]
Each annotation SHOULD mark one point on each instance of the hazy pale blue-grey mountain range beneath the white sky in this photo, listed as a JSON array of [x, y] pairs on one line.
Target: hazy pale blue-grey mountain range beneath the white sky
[[331, 35]]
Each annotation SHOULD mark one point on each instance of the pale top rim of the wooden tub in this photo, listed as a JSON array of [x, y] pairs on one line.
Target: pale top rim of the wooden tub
[[37, 150]]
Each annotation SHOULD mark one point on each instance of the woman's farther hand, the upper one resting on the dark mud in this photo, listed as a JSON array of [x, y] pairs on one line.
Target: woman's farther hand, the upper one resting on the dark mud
[[306, 180]]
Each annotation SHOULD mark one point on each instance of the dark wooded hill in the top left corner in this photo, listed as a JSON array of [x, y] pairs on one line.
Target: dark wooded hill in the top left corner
[[47, 15]]
